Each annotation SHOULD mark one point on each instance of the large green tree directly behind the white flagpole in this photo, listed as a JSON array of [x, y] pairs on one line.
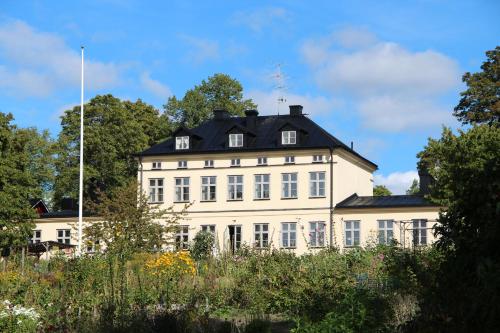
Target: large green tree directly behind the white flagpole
[[113, 132]]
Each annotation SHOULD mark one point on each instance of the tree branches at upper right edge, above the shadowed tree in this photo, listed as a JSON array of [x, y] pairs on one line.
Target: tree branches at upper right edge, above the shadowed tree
[[480, 103]]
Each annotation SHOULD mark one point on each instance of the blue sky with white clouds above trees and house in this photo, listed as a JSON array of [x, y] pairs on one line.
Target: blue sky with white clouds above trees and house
[[383, 74]]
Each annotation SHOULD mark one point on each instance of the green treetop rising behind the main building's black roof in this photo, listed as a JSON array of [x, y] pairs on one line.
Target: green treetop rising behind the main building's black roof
[[218, 92]]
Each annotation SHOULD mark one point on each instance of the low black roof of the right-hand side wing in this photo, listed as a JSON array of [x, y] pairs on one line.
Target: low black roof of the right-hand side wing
[[388, 201]]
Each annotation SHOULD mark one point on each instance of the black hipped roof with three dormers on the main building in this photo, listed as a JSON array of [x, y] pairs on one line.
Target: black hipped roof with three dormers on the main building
[[212, 136]]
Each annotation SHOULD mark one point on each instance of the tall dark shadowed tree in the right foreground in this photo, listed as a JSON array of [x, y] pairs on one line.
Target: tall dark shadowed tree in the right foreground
[[466, 169]]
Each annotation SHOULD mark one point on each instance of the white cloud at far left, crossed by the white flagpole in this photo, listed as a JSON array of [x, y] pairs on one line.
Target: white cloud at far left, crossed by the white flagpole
[[39, 62]]
